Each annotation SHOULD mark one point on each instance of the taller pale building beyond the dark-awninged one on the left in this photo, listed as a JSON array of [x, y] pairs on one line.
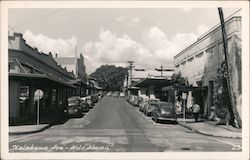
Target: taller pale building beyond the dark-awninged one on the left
[[77, 67]]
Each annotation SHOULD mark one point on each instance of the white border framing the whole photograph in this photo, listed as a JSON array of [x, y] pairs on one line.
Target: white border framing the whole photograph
[[124, 4]]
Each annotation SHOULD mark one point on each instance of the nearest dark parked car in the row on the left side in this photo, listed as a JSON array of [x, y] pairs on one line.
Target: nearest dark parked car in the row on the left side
[[74, 106]]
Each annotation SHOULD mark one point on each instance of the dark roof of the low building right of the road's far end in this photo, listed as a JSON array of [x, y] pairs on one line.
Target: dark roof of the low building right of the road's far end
[[153, 82]]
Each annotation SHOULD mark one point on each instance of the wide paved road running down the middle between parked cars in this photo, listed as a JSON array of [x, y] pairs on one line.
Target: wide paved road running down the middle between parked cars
[[115, 126]]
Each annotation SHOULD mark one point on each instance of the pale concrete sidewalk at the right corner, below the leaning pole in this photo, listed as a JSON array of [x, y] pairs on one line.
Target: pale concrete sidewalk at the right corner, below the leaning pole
[[209, 128]]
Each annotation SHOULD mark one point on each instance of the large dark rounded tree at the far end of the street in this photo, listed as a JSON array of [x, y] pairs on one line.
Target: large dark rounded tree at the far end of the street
[[110, 77]]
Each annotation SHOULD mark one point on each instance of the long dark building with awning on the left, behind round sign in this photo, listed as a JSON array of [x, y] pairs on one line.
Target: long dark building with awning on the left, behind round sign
[[30, 70]]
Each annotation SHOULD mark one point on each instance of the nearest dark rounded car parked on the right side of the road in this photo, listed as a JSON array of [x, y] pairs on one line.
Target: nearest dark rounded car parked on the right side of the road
[[164, 111]]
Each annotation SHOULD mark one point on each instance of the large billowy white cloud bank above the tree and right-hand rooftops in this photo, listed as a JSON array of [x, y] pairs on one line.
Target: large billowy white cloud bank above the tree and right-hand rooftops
[[155, 48]]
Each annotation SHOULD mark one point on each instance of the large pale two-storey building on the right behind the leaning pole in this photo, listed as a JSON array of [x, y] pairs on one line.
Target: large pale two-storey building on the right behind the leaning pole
[[199, 62]]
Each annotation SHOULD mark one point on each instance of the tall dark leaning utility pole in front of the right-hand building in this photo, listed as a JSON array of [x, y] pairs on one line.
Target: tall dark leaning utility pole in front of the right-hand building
[[232, 103]]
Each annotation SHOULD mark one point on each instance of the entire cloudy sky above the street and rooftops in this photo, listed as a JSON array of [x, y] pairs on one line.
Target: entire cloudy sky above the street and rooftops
[[149, 36]]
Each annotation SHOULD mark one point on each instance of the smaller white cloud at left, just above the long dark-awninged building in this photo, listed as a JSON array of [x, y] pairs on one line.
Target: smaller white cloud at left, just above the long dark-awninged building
[[63, 47]]
